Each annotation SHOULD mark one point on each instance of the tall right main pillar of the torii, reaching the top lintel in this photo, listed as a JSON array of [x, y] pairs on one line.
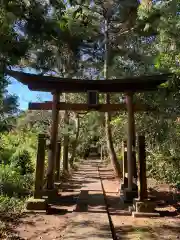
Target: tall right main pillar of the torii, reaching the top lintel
[[129, 102]]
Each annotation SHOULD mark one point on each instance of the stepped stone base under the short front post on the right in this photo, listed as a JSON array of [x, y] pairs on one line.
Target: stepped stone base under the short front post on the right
[[145, 208]]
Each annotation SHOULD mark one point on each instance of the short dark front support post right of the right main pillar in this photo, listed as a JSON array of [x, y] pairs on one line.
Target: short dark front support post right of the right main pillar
[[142, 168]]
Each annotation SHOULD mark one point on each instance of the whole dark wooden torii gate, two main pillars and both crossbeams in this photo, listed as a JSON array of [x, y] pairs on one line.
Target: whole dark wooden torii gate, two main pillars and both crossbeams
[[57, 85]]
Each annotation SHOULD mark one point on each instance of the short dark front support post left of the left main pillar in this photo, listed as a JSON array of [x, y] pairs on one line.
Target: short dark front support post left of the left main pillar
[[39, 176]]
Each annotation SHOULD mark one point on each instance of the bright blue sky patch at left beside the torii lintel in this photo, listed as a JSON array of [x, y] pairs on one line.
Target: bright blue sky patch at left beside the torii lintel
[[24, 94]]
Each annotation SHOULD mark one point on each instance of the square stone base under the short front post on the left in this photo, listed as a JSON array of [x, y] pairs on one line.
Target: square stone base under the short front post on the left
[[36, 204]]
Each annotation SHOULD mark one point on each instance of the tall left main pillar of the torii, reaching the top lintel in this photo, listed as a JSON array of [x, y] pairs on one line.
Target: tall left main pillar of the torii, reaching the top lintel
[[53, 141]]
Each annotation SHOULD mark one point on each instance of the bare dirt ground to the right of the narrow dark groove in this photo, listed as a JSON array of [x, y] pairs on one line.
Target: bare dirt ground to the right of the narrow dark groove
[[127, 227]]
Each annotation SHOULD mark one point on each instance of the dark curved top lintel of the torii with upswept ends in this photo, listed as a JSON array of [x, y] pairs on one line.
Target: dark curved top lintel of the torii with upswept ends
[[50, 83]]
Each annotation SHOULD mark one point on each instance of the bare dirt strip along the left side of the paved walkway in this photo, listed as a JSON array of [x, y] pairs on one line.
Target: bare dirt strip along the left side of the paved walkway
[[35, 226]]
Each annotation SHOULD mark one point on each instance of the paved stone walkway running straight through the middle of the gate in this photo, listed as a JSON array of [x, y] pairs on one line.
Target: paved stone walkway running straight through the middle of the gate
[[90, 221]]
